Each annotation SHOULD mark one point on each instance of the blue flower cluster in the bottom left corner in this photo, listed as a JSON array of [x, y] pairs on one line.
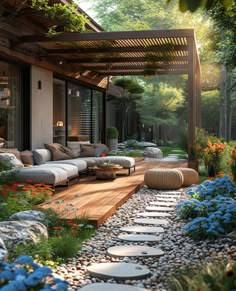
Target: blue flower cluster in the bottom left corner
[[25, 275]]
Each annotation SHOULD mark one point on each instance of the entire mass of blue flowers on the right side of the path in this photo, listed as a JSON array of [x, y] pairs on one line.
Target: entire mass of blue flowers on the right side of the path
[[212, 210]]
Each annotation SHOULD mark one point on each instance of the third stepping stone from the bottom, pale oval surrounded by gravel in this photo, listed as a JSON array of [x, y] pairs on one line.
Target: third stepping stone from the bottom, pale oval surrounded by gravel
[[134, 251]]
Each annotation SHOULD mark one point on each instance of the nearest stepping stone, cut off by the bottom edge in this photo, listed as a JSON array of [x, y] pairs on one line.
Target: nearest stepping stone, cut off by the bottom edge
[[111, 287]]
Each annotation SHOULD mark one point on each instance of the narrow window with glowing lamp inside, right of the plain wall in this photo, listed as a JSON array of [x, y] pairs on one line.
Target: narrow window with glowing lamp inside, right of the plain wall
[[59, 111]]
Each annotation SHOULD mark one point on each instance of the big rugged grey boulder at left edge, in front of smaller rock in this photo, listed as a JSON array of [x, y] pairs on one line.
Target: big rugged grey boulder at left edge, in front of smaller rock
[[15, 232]]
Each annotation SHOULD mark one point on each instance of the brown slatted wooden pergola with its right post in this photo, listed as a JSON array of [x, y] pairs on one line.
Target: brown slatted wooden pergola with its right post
[[98, 55]]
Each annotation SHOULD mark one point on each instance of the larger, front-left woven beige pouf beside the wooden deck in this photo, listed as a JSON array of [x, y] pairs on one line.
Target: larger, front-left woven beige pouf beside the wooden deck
[[163, 179]]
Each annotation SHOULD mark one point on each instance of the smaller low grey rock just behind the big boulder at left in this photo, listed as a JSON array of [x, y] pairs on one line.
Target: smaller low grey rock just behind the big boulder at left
[[32, 215]]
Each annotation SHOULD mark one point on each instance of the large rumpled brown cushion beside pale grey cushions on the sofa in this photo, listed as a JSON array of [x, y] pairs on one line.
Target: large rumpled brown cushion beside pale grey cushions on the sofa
[[59, 152]]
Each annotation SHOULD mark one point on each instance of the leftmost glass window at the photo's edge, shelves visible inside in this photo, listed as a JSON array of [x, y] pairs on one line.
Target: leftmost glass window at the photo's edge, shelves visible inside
[[10, 106]]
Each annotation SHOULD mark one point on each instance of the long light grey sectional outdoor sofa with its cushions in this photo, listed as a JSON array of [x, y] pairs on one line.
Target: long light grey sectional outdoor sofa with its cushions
[[56, 164]]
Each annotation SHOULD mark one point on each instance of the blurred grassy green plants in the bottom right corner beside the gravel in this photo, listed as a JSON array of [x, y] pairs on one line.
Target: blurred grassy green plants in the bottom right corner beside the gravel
[[216, 276]]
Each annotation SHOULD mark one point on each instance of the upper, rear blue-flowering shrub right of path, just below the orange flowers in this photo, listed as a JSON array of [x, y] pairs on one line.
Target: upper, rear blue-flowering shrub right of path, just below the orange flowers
[[210, 189]]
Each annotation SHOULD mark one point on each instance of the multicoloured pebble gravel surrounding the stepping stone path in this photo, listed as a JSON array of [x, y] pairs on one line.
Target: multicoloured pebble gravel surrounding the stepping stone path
[[181, 252]]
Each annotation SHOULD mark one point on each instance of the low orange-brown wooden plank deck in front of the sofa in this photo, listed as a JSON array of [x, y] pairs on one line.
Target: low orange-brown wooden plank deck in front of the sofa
[[98, 199]]
